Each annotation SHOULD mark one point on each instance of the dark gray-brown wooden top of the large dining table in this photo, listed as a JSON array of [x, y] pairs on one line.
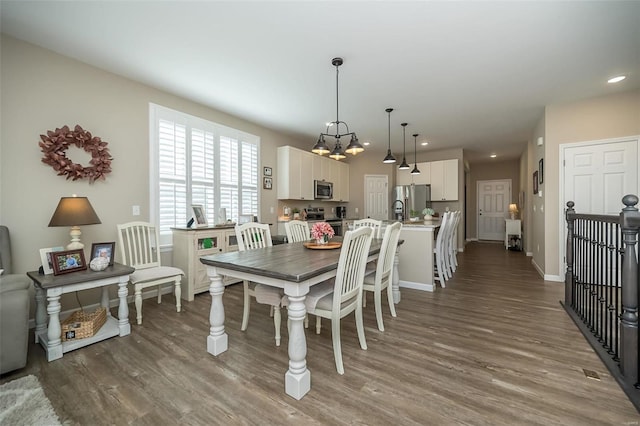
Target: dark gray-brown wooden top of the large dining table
[[291, 262]]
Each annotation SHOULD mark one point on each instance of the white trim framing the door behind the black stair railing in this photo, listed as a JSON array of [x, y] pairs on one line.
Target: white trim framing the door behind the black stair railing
[[561, 203]]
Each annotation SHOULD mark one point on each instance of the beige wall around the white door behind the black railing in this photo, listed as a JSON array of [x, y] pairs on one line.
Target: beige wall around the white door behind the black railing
[[606, 117]]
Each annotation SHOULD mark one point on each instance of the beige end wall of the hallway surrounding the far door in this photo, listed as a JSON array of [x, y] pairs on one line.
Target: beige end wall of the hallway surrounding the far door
[[489, 171]]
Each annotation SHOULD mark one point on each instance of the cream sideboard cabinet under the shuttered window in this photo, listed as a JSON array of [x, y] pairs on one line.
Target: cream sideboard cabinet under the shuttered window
[[189, 244]]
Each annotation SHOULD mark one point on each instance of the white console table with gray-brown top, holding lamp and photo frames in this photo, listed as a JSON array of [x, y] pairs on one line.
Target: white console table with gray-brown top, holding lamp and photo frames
[[54, 286]]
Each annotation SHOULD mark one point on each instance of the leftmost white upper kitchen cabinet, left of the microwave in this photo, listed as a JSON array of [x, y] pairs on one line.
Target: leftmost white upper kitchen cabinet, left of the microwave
[[294, 174]]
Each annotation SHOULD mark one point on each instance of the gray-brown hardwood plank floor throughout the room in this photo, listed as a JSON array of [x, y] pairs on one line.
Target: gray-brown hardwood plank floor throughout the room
[[494, 347]]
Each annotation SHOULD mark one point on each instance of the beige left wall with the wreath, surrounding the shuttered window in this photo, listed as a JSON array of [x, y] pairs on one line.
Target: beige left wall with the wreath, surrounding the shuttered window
[[42, 90]]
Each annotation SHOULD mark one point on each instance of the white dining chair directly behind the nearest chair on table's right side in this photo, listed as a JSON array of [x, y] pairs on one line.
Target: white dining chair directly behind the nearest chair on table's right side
[[383, 277]]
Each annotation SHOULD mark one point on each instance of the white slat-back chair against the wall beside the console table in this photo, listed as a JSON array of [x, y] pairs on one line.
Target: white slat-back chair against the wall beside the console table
[[140, 249]]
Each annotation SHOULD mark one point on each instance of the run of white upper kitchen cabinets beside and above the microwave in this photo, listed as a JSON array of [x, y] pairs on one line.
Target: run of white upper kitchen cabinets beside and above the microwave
[[297, 169]]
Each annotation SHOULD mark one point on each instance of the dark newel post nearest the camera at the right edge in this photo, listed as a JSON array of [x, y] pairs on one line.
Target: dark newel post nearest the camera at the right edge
[[629, 316]]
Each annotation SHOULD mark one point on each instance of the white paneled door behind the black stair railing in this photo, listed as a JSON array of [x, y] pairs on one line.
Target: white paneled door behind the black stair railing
[[595, 176]]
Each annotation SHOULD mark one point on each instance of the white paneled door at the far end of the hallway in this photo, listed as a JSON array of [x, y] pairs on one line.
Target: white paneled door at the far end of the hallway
[[493, 206]]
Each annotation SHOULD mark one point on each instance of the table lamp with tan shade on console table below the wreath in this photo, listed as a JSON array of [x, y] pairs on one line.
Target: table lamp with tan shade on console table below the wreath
[[74, 211]]
